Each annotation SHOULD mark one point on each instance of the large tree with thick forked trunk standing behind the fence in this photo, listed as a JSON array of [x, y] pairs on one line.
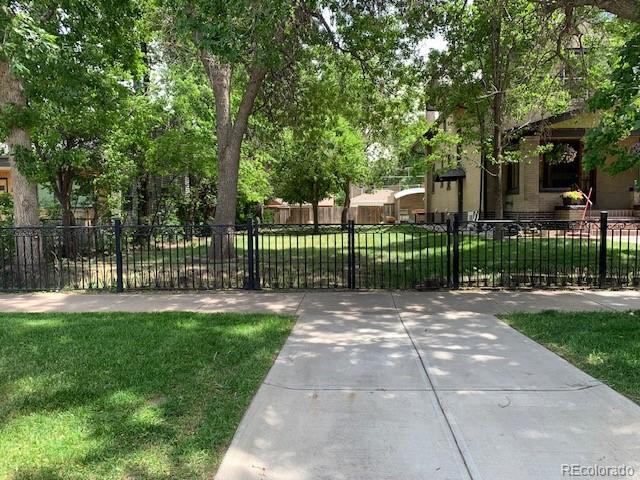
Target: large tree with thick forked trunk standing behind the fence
[[241, 45]]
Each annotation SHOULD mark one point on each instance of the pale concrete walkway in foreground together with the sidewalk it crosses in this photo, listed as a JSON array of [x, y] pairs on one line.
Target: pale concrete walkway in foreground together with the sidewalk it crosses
[[409, 385]]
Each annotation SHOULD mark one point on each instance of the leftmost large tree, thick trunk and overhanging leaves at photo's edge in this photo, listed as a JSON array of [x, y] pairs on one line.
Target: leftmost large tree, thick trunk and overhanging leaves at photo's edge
[[37, 38]]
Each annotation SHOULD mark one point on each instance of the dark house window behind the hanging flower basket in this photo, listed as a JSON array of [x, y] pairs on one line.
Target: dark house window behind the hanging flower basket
[[560, 167]]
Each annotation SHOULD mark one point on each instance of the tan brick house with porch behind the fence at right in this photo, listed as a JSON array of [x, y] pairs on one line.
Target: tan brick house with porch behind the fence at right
[[533, 187]]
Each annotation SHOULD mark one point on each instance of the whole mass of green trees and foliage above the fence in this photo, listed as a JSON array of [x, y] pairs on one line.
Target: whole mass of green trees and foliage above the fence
[[220, 105]]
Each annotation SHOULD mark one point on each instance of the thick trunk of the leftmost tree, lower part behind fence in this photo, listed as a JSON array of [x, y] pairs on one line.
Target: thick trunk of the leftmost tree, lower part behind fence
[[25, 194]]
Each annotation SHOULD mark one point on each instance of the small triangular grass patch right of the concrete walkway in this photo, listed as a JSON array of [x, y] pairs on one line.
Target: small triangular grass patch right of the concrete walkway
[[606, 345]]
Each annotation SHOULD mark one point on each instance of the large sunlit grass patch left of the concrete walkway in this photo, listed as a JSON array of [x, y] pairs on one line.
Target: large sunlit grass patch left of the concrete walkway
[[127, 396]]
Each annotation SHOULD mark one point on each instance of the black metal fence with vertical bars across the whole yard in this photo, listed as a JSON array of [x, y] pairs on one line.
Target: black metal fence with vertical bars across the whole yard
[[450, 254]]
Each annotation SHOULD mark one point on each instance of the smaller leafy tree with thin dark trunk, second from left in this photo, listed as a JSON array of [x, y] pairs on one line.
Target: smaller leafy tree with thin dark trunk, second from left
[[71, 122]]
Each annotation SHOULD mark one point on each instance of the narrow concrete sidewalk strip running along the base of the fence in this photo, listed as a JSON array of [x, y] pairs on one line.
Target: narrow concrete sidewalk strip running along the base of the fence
[[477, 301]]
